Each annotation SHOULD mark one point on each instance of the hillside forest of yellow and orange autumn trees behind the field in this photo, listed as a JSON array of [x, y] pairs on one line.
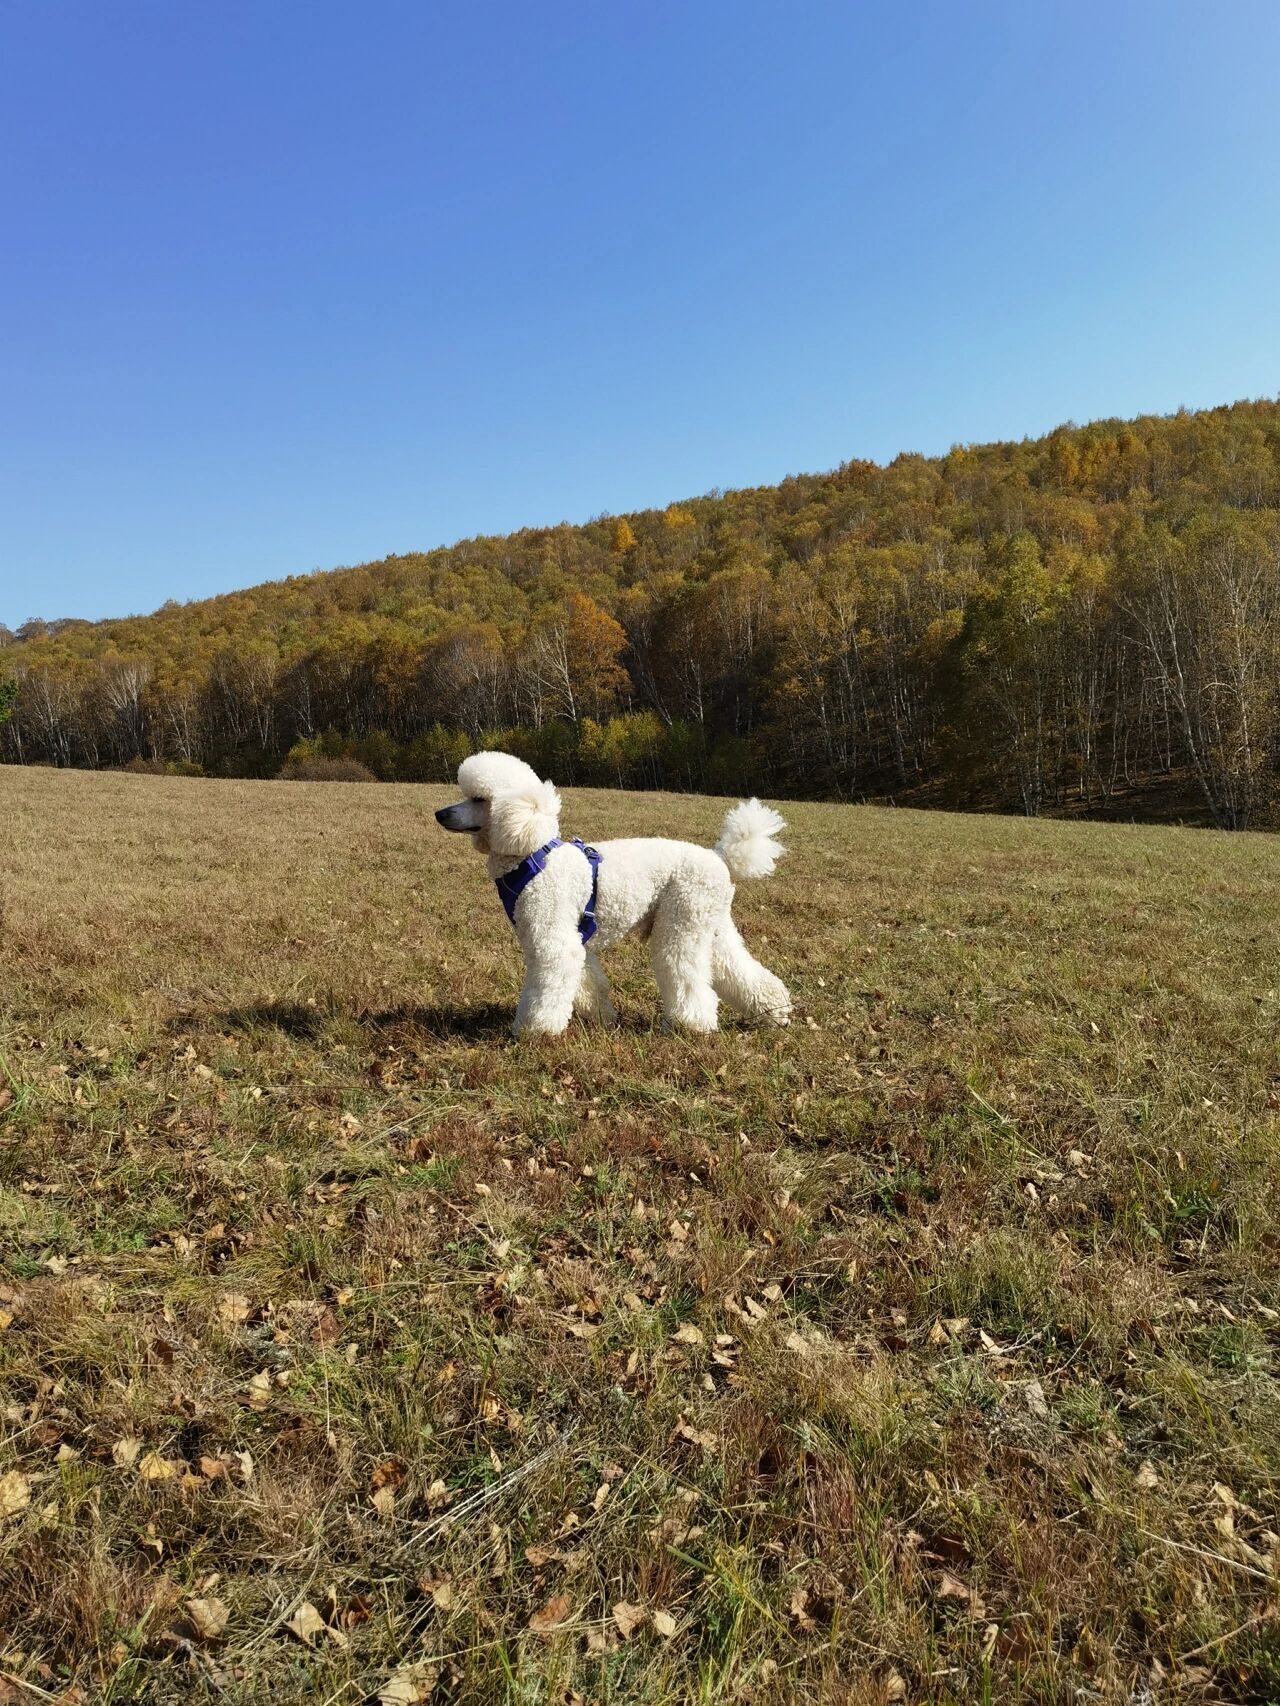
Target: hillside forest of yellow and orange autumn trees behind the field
[[1079, 624]]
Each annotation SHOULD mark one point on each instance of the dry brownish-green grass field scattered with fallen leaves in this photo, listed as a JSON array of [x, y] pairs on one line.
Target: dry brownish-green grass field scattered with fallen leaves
[[922, 1352]]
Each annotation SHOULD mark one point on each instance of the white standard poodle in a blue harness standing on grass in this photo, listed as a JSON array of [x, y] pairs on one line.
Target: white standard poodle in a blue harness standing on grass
[[567, 902]]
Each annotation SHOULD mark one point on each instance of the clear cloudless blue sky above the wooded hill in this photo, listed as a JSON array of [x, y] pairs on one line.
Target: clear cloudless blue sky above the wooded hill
[[291, 284]]
